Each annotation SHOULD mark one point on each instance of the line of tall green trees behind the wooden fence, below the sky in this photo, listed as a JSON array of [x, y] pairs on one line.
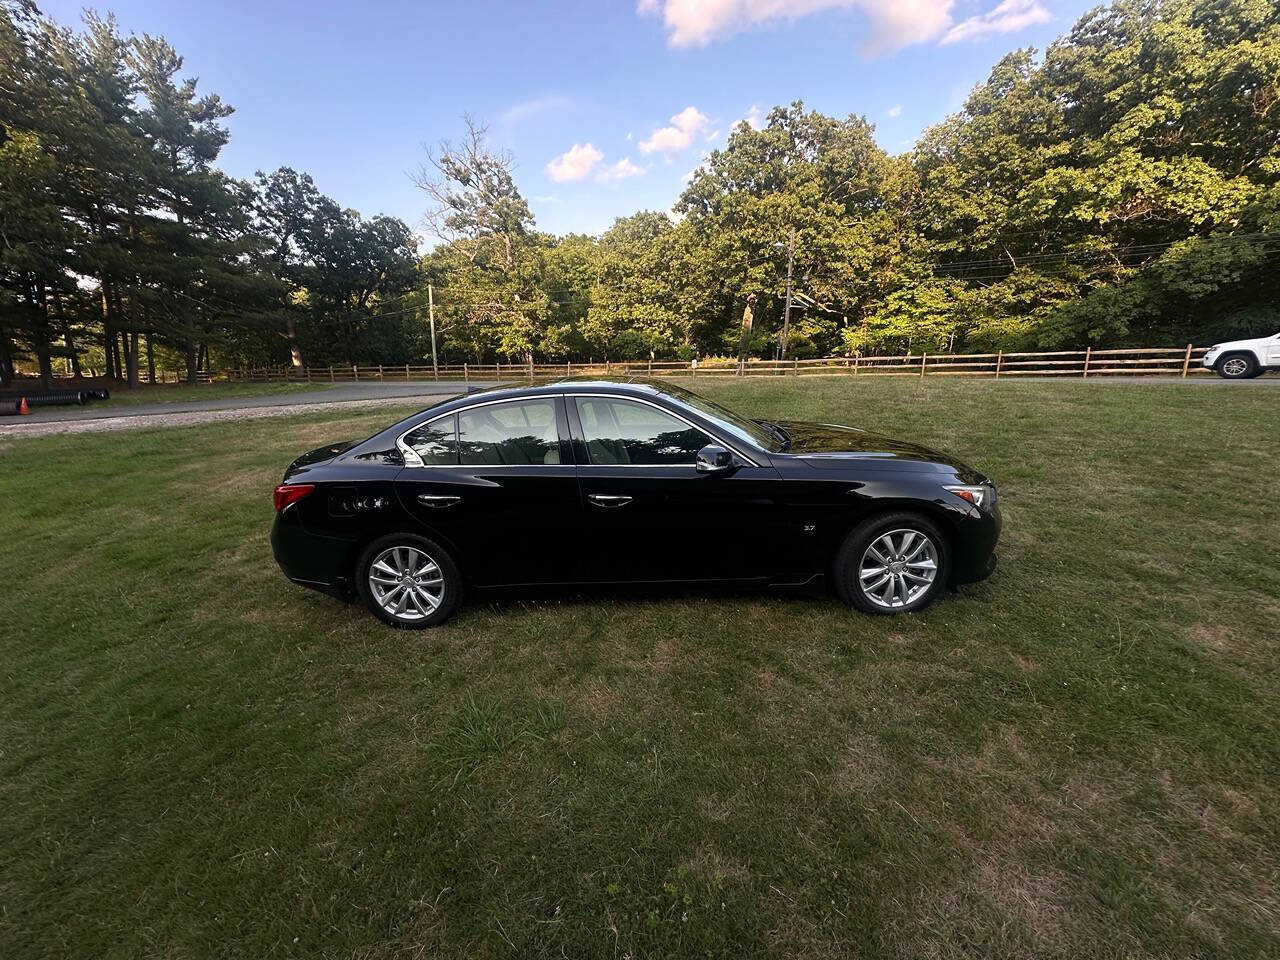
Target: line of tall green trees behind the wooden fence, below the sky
[[1121, 189]]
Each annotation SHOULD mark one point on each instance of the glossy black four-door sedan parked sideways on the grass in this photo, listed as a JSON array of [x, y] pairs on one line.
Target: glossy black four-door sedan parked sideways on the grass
[[625, 482]]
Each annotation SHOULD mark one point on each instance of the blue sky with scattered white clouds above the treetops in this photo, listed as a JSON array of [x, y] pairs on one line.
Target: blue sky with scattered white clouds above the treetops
[[606, 106]]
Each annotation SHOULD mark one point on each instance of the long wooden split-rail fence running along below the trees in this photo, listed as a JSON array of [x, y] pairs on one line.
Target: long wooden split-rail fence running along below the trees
[[1173, 362]]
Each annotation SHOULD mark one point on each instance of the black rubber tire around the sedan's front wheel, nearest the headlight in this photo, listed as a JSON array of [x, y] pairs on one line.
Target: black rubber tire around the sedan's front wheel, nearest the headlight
[[848, 564]]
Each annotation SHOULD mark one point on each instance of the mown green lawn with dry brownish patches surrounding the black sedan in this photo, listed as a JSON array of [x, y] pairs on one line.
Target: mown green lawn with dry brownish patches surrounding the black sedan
[[1077, 758]]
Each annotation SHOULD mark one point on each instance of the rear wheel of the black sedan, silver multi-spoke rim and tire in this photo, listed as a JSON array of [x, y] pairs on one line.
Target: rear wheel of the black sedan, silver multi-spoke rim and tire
[[409, 582]]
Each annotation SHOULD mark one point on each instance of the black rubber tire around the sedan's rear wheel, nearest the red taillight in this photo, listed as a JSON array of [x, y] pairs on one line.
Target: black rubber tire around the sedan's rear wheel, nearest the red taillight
[[405, 546]]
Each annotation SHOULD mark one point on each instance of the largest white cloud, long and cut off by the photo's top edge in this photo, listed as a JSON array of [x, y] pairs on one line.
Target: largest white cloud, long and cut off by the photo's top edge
[[894, 24]]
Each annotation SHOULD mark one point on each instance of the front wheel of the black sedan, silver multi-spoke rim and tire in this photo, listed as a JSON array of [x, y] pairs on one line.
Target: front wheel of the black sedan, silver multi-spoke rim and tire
[[893, 564]]
